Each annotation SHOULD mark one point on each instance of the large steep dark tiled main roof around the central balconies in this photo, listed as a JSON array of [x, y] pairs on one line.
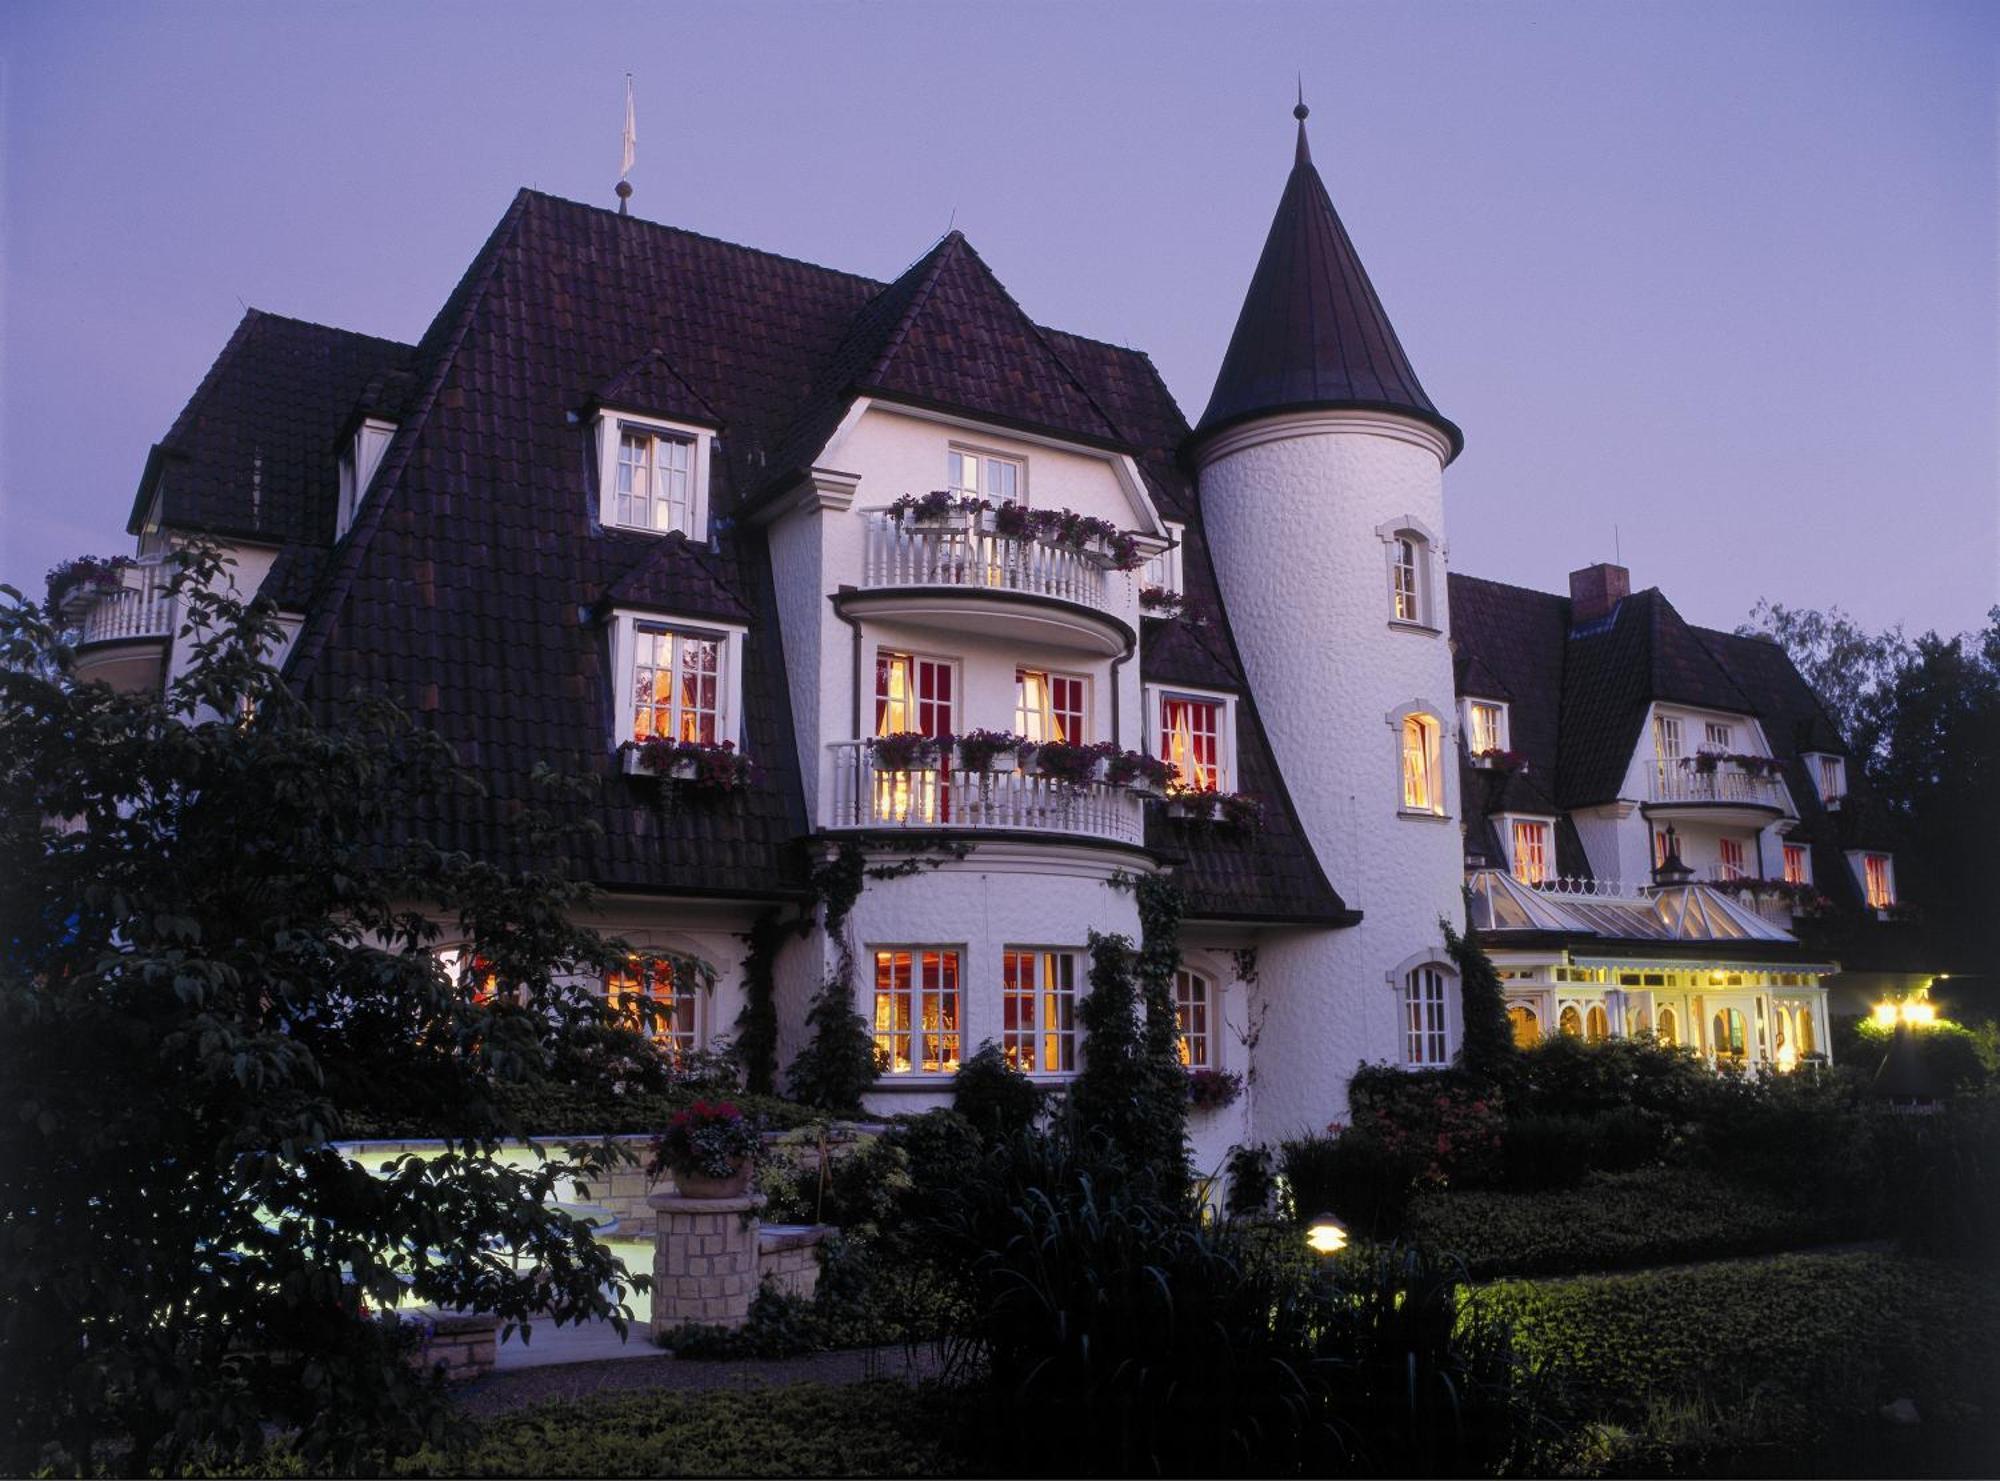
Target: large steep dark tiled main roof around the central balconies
[[477, 577]]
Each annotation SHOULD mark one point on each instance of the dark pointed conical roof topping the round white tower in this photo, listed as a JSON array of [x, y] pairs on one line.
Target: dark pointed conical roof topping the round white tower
[[1313, 333]]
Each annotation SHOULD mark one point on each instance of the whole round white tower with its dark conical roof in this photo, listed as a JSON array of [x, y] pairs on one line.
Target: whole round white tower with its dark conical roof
[[1323, 497]]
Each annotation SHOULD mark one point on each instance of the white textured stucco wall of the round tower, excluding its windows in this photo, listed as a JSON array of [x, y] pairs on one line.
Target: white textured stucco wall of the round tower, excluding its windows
[[1297, 513]]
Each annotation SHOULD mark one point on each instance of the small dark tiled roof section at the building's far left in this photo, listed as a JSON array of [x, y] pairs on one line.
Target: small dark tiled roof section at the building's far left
[[253, 453]]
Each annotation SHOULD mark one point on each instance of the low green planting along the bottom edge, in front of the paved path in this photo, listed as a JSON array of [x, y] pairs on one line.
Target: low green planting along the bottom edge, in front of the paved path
[[877, 1428]]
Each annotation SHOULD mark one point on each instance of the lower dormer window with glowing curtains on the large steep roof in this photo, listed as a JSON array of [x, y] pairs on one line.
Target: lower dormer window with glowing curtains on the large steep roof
[[681, 681]]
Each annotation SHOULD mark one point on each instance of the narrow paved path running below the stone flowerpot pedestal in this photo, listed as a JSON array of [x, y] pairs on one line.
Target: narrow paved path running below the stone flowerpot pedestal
[[641, 1366]]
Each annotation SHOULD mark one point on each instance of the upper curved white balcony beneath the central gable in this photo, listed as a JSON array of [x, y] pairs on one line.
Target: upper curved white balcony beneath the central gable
[[961, 575]]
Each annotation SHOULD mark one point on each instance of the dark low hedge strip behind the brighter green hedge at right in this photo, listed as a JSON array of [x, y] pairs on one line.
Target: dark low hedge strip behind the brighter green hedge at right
[[1655, 1216]]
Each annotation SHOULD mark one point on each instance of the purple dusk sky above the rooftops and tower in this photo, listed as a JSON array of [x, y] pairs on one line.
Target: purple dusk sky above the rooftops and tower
[[1717, 277]]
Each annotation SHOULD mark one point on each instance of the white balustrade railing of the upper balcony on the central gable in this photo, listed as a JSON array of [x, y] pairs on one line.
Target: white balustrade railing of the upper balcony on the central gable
[[971, 555]]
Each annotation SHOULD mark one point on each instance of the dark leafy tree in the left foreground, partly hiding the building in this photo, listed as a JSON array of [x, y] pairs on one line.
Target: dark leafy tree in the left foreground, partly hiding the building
[[219, 930]]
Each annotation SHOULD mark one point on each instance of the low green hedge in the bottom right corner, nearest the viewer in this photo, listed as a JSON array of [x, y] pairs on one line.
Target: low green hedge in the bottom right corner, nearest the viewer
[[1815, 1340]]
